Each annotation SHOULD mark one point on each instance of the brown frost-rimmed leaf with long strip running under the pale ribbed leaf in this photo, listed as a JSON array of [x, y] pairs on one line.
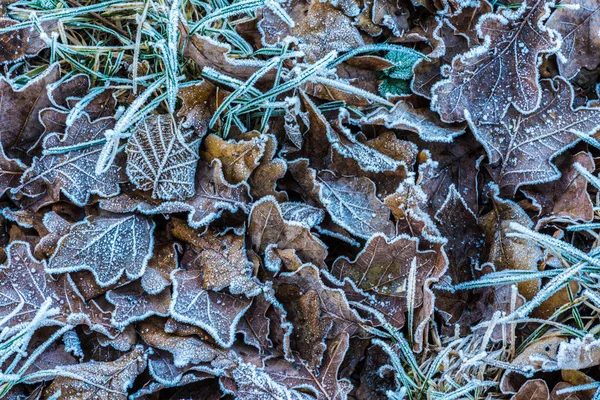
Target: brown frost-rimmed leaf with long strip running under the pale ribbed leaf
[[213, 196]]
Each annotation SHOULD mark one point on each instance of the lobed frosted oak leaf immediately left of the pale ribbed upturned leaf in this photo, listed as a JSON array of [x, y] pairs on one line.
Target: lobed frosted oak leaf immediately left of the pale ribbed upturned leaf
[[73, 171]]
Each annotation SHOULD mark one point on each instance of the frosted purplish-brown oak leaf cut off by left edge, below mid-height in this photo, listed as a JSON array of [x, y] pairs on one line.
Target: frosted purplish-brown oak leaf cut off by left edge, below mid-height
[[24, 280]]
